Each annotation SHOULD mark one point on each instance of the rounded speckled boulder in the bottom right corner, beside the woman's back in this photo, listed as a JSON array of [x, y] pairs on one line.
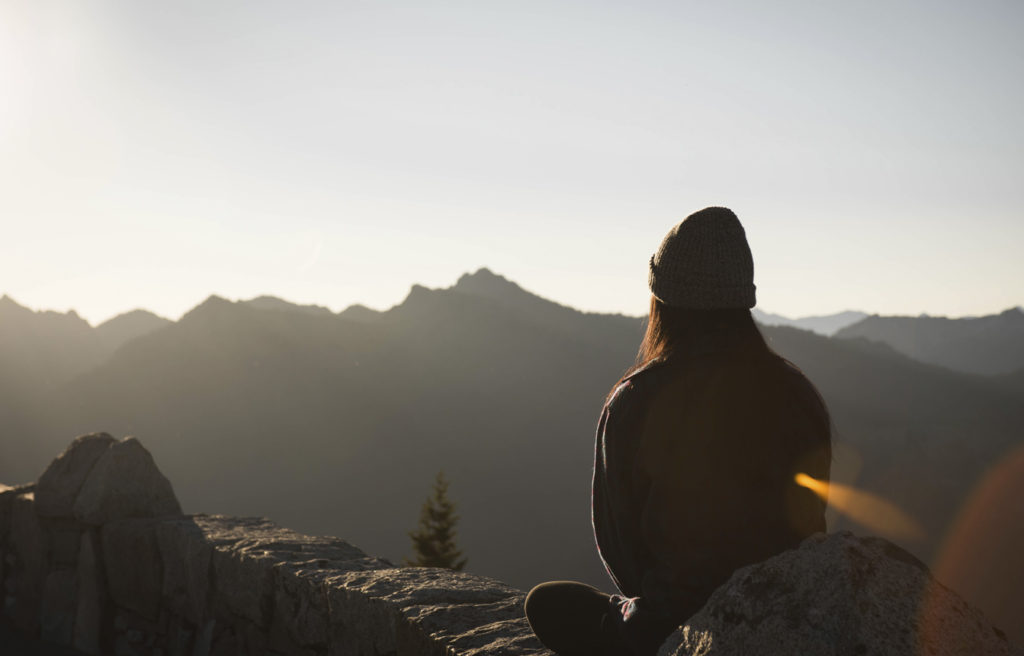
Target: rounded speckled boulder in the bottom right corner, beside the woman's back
[[837, 595]]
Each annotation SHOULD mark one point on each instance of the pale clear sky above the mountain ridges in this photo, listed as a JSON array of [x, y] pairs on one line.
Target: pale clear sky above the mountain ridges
[[336, 153]]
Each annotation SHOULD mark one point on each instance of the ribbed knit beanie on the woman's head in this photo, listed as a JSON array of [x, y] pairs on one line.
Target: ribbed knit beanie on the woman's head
[[705, 264]]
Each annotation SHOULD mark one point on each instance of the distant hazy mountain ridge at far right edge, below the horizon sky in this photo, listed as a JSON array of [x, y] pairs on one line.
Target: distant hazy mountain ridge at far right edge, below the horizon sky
[[986, 345]]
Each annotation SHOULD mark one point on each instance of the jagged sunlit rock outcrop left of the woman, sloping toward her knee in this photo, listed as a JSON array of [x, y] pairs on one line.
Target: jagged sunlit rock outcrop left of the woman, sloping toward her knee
[[123, 573]]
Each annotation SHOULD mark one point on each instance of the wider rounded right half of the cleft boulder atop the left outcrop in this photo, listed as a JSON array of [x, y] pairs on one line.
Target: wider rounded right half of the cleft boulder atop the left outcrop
[[125, 484]]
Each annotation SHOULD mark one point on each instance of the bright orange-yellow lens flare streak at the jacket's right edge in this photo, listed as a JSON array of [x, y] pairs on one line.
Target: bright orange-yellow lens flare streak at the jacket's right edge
[[869, 510]]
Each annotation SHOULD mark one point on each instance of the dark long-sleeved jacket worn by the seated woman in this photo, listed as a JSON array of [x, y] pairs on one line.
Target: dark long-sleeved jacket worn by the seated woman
[[694, 477]]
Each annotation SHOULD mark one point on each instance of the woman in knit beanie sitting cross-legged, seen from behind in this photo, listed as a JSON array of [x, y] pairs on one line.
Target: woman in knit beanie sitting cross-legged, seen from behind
[[698, 449]]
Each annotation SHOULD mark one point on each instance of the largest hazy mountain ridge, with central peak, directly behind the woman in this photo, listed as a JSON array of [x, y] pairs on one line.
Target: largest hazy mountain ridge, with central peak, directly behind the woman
[[337, 423]]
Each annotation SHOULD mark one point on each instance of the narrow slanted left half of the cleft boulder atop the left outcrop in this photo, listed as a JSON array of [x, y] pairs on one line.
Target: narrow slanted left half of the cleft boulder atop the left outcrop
[[60, 485]]
